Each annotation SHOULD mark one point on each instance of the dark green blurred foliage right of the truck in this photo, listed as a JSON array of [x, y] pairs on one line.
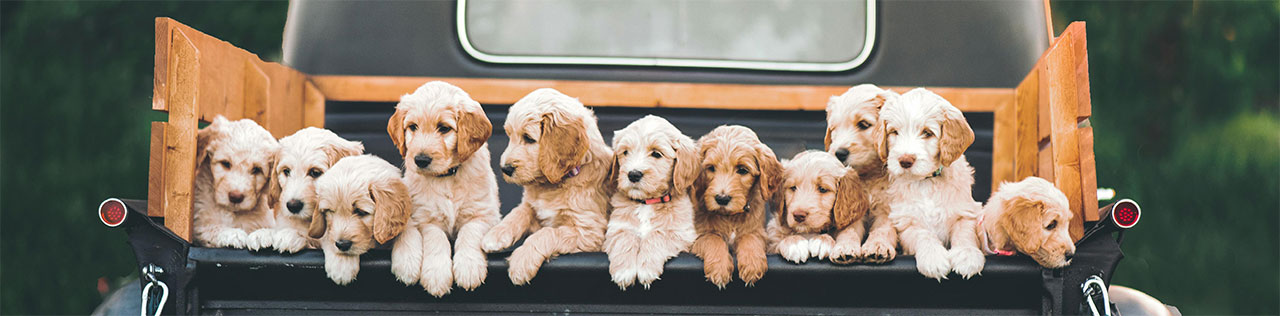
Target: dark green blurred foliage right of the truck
[[1186, 122]]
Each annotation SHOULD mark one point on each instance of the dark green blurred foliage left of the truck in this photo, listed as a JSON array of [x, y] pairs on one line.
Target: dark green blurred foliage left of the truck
[[75, 120]]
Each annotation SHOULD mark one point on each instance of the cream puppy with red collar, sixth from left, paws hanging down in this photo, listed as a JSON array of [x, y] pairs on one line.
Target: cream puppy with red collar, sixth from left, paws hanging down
[[653, 217]]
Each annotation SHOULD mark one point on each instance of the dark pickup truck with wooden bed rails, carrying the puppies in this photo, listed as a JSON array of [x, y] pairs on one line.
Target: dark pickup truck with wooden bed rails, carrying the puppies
[[765, 65]]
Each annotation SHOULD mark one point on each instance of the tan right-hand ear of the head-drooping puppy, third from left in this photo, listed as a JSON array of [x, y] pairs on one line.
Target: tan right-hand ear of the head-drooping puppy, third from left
[[391, 208]]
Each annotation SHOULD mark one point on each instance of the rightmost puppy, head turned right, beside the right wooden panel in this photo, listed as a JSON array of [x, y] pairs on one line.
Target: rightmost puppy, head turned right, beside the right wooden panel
[[1028, 217]]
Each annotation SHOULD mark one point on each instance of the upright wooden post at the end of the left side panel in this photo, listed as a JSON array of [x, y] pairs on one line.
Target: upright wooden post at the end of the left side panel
[[180, 154]]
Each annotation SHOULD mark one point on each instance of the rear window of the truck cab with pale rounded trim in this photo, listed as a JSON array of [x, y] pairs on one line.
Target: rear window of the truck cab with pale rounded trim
[[774, 35]]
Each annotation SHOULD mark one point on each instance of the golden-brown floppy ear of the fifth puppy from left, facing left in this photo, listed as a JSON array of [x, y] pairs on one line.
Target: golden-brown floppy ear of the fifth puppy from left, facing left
[[563, 145]]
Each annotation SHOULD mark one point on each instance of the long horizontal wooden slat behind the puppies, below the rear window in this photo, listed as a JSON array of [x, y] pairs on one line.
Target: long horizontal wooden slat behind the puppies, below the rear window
[[637, 94]]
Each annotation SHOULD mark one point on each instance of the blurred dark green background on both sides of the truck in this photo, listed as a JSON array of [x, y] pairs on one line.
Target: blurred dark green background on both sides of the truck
[[1187, 122]]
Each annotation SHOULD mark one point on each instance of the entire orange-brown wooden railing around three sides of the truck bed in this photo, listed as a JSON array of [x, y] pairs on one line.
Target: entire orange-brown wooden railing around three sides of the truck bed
[[1041, 127]]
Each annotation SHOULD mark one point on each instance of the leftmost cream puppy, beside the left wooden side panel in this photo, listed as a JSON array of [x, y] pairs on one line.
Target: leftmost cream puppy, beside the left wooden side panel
[[234, 182]]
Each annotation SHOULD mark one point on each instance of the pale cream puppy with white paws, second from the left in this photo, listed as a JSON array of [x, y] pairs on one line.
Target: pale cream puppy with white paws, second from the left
[[305, 155]]
